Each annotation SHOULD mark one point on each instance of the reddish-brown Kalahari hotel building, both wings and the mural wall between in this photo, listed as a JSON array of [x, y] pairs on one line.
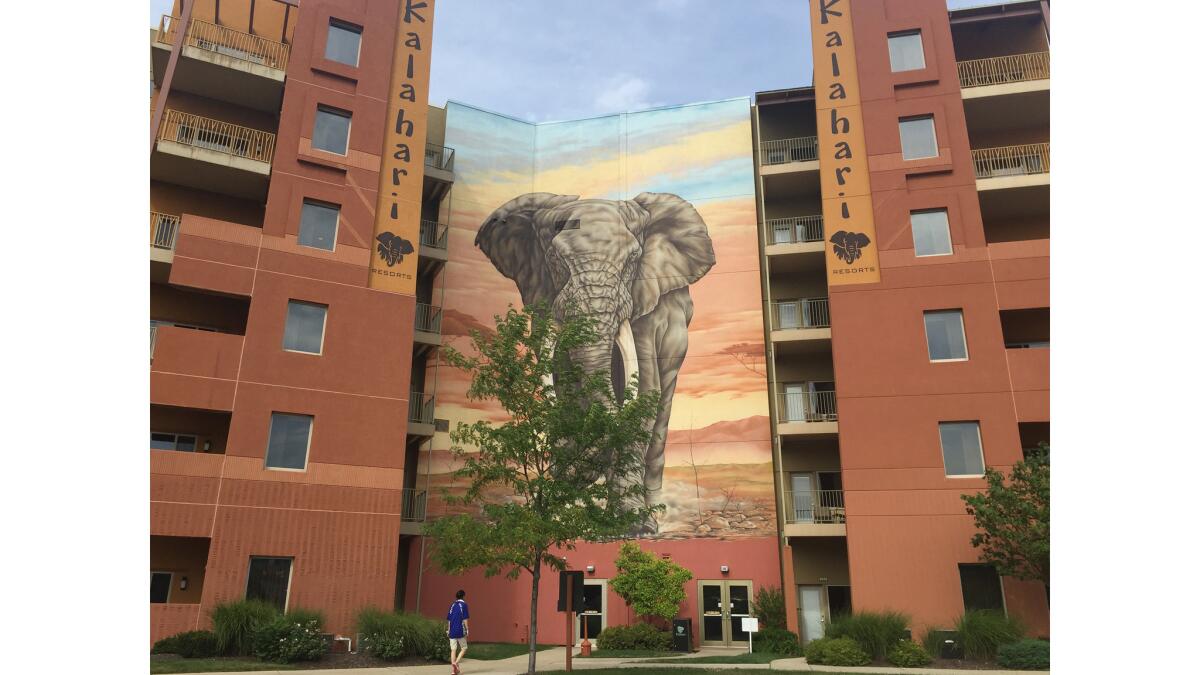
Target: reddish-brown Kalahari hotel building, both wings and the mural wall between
[[842, 292]]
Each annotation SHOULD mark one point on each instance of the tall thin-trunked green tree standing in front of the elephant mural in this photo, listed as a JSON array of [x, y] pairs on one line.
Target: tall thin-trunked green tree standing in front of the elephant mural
[[551, 475]]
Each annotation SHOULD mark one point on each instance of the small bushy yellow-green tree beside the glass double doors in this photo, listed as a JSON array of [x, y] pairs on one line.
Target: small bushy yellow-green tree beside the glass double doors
[[651, 586]]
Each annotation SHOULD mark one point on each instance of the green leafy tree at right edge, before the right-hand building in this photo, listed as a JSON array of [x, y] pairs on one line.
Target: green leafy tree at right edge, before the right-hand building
[[1013, 518]]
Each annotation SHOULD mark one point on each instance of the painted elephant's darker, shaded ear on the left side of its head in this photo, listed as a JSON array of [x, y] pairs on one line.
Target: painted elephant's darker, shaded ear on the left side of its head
[[509, 240]]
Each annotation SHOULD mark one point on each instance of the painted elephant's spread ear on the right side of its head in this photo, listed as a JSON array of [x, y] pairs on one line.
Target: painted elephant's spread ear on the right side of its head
[[676, 249]]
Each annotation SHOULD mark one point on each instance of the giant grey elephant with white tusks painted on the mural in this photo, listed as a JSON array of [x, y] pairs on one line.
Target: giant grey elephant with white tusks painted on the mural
[[627, 265]]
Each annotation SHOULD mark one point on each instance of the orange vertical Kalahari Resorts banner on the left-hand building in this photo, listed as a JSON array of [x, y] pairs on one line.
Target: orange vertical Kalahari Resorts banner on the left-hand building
[[398, 225]]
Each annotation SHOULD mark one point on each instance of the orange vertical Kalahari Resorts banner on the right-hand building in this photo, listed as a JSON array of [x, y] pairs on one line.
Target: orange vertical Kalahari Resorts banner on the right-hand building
[[853, 254]]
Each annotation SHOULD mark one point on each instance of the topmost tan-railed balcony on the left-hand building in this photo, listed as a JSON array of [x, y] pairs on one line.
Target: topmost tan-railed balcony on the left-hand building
[[223, 63]]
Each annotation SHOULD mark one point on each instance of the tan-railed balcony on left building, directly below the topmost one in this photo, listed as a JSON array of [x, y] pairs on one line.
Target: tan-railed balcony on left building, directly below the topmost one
[[213, 156]]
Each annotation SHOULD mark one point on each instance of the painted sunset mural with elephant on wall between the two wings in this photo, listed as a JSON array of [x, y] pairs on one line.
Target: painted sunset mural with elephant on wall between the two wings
[[647, 223]]
